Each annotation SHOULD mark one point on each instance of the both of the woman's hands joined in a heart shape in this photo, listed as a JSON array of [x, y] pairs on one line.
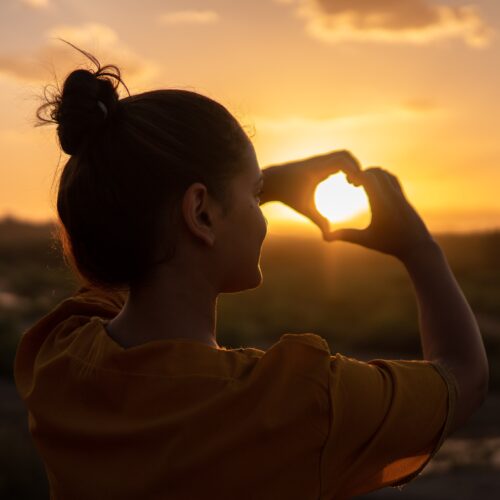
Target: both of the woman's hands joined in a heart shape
[[395, 228]]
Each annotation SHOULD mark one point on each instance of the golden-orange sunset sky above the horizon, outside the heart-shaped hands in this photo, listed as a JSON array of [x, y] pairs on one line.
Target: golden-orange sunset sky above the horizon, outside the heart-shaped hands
[[411, 86]]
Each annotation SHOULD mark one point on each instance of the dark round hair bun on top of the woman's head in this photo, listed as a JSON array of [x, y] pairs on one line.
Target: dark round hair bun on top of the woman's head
[[86, 103]]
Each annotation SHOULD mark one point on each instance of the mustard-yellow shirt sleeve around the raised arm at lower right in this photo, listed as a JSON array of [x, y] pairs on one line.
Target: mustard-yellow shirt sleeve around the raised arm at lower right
[[387, 420]]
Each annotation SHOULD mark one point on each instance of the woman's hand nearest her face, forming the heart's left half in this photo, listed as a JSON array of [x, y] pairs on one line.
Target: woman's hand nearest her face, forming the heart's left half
[[294, 183]]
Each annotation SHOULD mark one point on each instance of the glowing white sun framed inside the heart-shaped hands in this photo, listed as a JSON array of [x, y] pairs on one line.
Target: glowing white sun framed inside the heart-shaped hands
[[339, 201]]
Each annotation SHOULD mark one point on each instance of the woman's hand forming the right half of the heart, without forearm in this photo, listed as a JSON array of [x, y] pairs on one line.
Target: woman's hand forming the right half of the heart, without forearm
[[396, 228]]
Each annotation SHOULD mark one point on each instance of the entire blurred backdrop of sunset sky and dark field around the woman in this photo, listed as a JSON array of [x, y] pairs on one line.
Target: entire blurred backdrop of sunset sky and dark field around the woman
[[409, 85]]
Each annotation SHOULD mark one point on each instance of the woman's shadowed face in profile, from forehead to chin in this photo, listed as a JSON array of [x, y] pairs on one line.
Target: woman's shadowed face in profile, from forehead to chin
[[244, 228]]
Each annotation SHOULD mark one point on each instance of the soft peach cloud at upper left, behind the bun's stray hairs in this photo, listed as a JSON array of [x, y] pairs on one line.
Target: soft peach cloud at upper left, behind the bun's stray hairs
[[98, 39]]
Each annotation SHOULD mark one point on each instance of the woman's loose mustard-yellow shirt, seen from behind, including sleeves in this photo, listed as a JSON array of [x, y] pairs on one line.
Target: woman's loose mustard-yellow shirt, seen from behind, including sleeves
[[179, 419]]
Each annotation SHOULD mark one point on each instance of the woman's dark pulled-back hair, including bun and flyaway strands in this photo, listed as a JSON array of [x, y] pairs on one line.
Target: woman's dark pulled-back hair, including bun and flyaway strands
[[131, 161]]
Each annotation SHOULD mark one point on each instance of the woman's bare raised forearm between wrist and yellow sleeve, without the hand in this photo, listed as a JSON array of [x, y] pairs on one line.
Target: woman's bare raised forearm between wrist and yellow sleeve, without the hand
[[449, 332]]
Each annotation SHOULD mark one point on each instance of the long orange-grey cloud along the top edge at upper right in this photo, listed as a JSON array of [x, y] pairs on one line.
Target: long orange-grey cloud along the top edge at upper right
[[416, 22]]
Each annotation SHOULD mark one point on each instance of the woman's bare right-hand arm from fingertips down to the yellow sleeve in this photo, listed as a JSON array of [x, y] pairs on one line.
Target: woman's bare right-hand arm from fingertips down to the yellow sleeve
[[448, 329]]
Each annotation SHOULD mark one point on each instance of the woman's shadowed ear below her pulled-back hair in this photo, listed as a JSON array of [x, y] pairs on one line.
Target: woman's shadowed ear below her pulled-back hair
[[198, 212]]
